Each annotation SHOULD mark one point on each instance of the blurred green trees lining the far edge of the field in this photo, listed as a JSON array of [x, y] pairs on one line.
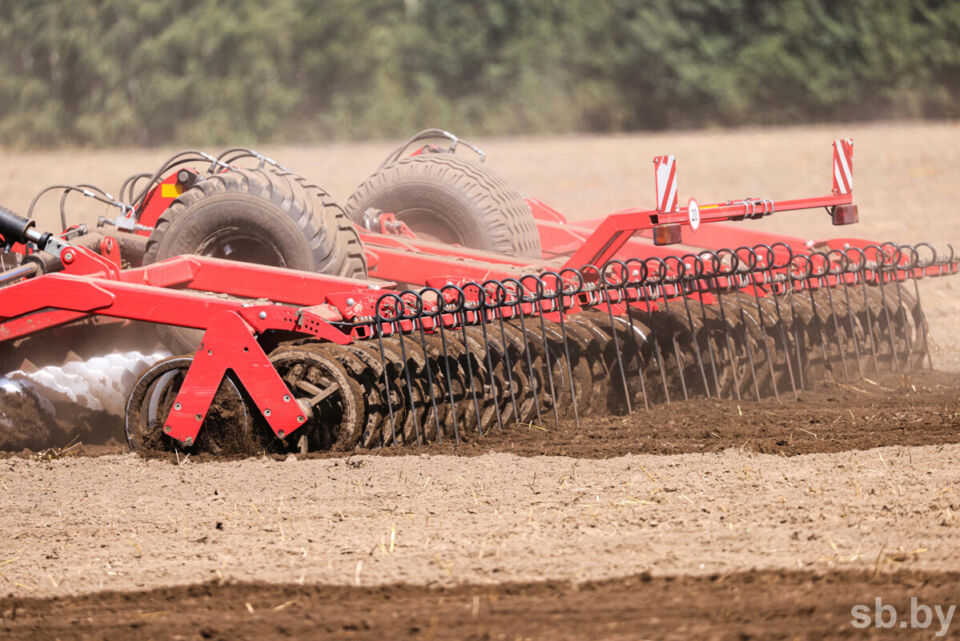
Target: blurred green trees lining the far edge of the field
[[117, 72]]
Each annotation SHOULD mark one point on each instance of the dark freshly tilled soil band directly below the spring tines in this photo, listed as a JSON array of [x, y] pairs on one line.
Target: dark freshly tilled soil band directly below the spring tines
[[919, 408]]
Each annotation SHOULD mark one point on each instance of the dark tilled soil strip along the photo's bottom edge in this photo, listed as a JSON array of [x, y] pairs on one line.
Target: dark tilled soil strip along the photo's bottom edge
[[767, 605]]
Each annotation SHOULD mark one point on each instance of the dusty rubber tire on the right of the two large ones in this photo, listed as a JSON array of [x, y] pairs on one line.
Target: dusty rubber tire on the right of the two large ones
[[470, 204]]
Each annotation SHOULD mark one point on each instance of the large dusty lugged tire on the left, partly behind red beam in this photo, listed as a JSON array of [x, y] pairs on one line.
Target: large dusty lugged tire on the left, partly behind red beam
[[263, 216]]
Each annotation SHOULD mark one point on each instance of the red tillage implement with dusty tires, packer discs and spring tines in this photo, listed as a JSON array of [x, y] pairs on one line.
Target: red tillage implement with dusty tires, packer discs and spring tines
[[416, 318]]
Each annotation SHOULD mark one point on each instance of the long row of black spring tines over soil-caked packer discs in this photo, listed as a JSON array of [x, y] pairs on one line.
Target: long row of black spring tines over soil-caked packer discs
[[504, 347]]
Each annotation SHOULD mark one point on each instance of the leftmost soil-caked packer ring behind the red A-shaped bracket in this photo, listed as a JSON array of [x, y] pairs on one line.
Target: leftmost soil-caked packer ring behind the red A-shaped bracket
[[227, 429]]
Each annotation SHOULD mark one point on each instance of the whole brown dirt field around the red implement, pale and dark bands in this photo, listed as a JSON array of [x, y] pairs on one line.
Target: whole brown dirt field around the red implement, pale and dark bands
[[699, 520]]
